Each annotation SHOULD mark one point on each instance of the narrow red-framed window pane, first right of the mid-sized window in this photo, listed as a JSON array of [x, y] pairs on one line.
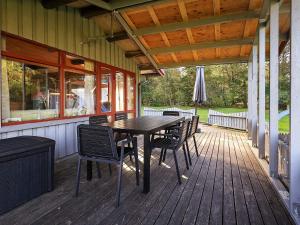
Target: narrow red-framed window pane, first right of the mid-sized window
[[106, 90]]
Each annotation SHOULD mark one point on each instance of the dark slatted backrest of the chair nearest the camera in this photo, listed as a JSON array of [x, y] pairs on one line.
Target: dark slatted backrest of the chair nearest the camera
[[96, 141]]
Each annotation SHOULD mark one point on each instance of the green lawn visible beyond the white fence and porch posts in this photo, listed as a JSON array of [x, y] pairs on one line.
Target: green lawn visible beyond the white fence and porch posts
[[203, 115]]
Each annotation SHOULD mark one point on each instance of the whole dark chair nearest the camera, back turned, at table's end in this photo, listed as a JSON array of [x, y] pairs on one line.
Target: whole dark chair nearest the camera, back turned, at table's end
[[96, 143]]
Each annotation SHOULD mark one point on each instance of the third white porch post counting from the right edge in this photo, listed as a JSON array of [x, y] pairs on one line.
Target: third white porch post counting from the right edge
[[262, 94]]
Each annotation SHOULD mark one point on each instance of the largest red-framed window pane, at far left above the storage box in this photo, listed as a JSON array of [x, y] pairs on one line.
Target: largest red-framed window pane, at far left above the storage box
[[29, 91]]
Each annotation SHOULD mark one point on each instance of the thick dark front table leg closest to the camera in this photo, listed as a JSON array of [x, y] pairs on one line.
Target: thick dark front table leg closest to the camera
[[147, 151]]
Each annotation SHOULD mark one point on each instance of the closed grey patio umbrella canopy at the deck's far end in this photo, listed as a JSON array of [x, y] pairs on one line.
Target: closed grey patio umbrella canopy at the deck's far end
[[199, 96]]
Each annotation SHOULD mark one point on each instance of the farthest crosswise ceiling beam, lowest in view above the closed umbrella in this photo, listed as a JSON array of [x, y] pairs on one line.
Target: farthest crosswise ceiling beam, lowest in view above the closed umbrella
[[205, 62]]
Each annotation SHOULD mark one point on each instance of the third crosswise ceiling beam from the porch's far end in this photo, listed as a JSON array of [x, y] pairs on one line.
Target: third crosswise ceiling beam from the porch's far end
[[197, 22]]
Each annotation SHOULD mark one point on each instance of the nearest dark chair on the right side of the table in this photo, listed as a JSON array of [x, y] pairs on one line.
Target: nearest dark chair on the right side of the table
[[174, 143]]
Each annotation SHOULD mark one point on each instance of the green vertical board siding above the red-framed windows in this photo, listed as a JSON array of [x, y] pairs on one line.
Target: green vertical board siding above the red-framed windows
[[62, 28]]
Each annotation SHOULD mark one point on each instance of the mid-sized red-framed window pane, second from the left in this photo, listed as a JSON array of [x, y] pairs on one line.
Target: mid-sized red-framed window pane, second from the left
[[79, 94]]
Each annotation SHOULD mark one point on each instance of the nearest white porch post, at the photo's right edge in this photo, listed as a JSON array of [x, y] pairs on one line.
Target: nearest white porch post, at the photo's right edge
[[295, 110]]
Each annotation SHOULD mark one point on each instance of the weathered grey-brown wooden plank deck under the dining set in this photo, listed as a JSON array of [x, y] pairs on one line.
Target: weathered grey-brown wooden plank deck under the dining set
[[225, 185]]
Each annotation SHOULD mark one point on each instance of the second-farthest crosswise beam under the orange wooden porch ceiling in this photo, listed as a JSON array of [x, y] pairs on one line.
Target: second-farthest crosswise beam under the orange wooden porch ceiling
[[203, 45]]
